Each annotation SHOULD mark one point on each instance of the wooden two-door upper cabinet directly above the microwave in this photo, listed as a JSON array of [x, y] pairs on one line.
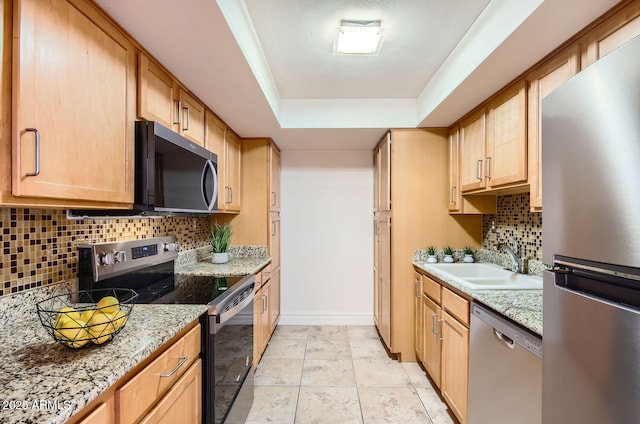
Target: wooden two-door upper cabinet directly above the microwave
[[162, 99]]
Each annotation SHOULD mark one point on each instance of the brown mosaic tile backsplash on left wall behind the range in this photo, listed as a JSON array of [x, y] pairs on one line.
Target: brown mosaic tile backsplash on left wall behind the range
[[39, 246]]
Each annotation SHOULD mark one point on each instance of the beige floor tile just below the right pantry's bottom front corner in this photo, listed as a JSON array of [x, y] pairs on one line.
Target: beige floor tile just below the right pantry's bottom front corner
[[380, 373]]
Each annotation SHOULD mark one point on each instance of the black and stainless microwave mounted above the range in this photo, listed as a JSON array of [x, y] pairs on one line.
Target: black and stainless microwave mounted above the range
[[172, 176]]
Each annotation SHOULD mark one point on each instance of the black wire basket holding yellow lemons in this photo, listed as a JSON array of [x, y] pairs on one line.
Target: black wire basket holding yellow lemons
[[86, 317]]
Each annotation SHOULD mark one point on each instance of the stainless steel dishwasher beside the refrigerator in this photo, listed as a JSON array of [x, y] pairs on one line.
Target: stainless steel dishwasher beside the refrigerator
[[505, 371]]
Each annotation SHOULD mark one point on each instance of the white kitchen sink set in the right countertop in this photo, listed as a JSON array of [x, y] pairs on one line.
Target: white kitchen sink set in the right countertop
[[483, 276]]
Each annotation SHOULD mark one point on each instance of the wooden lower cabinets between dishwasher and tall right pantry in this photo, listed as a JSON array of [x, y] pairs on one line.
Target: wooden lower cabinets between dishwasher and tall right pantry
[[445, 342]]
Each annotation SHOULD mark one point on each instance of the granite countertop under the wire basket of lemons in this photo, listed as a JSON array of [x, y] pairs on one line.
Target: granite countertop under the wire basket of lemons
[[42, 381]]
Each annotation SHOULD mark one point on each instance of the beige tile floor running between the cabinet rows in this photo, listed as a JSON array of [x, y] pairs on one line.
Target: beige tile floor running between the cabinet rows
[[340, 375]]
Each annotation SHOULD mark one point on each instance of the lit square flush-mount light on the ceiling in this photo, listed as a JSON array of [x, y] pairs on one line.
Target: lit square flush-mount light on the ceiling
[[362, 38]]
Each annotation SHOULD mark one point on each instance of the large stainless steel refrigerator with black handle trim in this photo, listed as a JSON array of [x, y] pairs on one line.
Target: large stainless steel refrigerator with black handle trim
[[591, 236]]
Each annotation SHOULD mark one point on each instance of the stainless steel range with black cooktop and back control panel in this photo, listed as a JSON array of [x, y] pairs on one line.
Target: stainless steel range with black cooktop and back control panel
[[147, 266]]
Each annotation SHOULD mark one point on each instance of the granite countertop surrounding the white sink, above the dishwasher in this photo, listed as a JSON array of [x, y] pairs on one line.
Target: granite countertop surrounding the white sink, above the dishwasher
[[522, 306]]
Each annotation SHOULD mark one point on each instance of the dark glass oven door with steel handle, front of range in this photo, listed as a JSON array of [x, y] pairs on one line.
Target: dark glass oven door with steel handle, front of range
[[229, 374]]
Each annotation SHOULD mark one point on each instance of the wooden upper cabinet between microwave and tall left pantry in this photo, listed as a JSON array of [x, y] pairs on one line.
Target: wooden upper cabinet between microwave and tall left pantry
[[223, 142]]
